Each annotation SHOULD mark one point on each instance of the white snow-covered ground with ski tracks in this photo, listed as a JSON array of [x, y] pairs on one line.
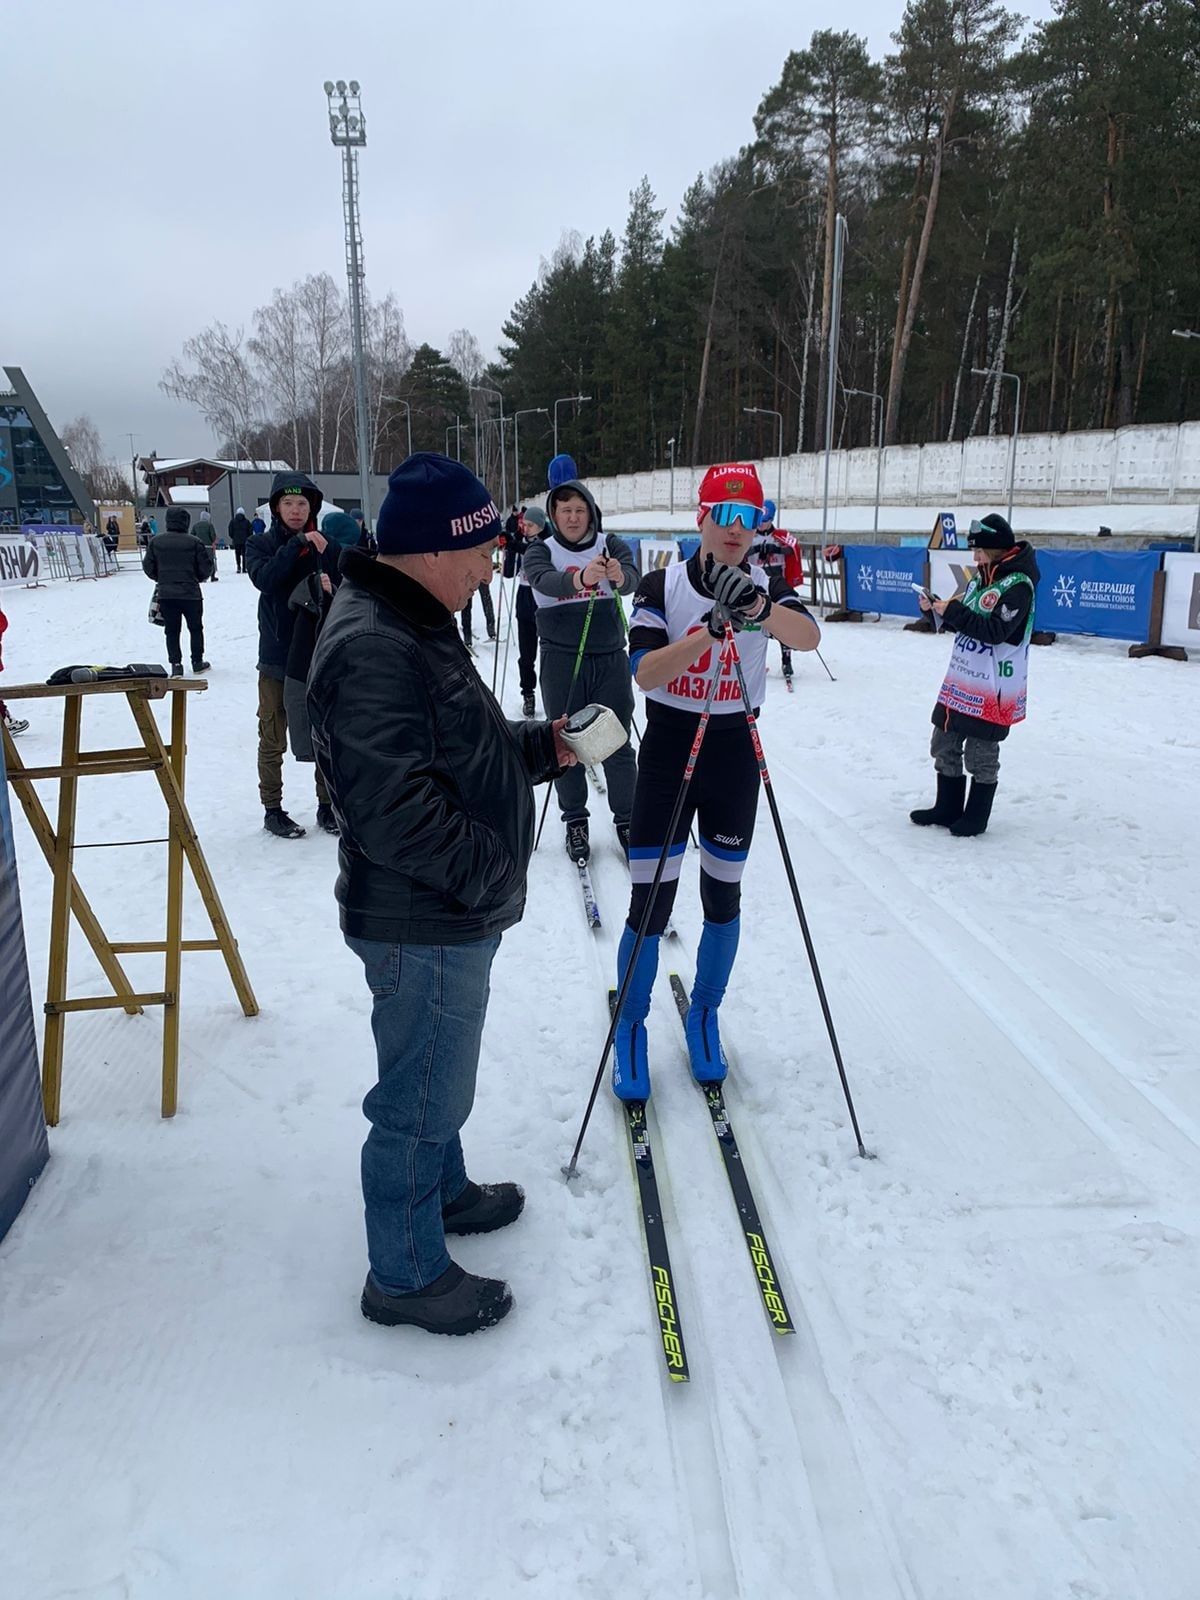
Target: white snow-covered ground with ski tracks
[[993, 1388]]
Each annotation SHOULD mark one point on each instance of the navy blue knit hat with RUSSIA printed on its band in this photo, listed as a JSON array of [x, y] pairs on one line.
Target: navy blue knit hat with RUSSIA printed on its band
[[434, 503]]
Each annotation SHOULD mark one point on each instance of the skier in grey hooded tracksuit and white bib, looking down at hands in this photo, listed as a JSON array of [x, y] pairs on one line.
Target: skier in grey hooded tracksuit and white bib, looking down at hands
[[577, 575]]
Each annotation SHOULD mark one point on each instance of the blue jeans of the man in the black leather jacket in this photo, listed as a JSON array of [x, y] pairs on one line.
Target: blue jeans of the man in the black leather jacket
[[428, 1023]]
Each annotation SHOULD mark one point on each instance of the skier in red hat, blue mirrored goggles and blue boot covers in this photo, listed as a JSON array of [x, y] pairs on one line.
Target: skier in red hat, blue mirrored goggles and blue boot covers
[[676, 650]]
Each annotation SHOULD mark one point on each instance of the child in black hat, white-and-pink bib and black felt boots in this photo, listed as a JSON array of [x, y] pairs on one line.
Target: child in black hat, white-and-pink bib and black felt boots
[[985, 689]]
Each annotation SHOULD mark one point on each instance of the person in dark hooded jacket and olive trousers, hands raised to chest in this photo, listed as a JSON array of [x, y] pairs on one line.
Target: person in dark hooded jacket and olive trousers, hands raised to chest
[[278, 561]]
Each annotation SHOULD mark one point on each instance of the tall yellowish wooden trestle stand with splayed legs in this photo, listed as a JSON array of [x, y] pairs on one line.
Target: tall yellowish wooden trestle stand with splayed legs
[[58, 847]]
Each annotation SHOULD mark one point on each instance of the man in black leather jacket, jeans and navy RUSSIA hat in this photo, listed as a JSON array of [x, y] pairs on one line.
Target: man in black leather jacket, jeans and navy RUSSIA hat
[[433, 791]]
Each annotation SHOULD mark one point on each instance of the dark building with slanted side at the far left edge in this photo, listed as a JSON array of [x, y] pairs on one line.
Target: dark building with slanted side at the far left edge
[[38, 481]]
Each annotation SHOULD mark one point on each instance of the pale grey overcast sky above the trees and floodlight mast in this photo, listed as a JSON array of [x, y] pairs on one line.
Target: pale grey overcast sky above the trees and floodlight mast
[[169, 164]]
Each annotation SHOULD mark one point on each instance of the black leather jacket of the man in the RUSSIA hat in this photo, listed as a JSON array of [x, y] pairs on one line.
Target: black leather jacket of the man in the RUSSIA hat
[[431, 786]]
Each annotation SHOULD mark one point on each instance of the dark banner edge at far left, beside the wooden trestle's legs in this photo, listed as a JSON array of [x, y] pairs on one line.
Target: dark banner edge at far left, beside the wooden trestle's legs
[[23, 1130]]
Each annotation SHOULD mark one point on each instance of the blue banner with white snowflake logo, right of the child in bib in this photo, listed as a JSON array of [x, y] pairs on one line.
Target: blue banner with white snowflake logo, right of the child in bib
[[1097, 593]]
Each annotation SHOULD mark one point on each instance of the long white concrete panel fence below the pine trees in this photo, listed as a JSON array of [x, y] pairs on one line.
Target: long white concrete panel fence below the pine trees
[[1130, 465]]
